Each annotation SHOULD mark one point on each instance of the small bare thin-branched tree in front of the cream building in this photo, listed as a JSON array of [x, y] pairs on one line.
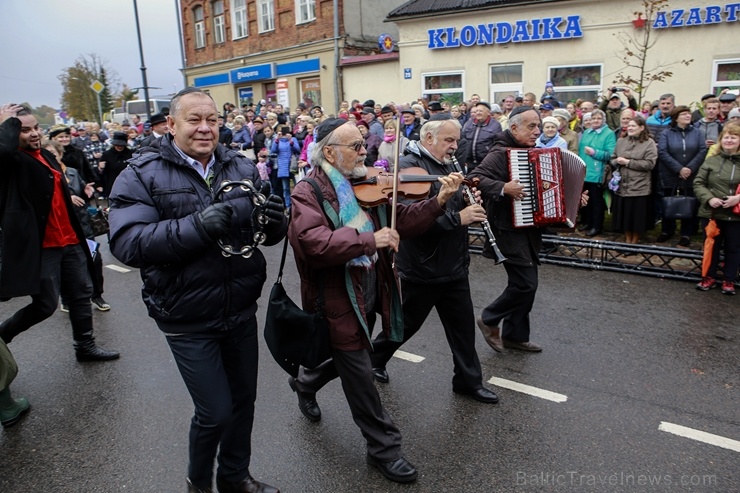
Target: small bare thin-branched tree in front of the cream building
[[635, 52]]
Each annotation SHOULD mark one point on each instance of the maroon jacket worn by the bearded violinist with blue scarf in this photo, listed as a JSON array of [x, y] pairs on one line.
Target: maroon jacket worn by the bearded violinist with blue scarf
[[319, 249]]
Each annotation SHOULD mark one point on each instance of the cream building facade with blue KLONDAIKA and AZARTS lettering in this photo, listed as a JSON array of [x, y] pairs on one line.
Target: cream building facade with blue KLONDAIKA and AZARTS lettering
[[451, 49]]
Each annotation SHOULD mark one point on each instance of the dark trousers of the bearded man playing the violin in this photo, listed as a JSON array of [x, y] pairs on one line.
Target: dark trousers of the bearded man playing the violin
[[355, 371]]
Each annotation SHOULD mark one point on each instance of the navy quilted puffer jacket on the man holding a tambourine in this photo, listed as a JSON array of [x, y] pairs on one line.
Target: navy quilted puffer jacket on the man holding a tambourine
[[188, 285]]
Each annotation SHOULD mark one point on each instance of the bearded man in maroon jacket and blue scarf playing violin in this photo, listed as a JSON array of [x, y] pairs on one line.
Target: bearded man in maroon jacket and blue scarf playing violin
[[348, 246]]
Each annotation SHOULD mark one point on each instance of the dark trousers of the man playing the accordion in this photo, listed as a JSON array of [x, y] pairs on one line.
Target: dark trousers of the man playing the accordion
[[514, 304]]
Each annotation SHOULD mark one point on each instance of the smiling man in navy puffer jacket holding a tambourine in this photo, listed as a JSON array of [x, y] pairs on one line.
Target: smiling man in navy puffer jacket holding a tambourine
[[165, 220]]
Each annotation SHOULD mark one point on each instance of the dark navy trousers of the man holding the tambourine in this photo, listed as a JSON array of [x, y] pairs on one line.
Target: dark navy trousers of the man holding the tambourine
[[219, 369]]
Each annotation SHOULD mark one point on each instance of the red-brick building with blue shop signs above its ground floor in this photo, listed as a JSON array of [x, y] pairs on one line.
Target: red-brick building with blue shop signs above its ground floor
[[288, 51]]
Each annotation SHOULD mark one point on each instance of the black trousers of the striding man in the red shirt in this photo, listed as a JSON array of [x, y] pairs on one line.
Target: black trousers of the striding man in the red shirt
[[63, 270]]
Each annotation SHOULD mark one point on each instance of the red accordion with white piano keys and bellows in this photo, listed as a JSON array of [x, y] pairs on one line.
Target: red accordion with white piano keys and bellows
[[552, 180]]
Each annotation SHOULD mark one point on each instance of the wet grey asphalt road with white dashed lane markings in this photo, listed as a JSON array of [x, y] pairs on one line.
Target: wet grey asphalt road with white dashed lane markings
[[626, 359]]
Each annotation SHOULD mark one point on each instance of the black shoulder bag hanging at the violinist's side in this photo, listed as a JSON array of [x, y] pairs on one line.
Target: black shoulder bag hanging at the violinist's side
[[295, 337]]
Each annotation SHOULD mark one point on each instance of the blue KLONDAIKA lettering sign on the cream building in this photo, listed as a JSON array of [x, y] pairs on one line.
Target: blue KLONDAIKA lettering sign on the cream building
[[545, 29]]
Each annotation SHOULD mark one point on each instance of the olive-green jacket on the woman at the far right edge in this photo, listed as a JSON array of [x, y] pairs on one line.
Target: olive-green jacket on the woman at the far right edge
[[719, 177]]
